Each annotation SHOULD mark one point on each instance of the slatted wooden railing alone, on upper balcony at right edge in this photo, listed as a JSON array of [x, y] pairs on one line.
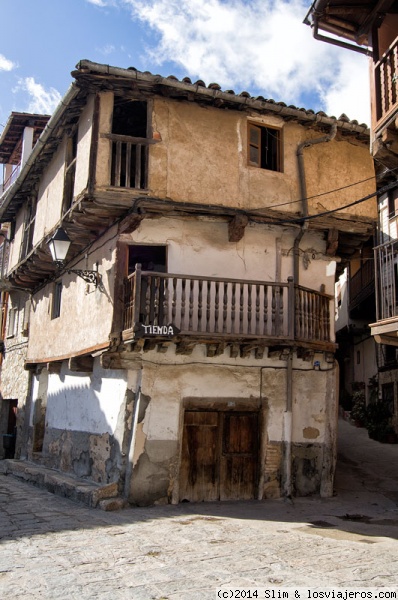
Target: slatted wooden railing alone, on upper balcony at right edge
[[386, 84]]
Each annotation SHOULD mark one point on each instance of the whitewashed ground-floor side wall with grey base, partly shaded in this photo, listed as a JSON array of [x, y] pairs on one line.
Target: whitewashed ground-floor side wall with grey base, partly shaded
[[81, 422]]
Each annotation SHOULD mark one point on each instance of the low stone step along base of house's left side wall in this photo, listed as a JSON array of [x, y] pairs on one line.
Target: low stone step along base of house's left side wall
[[62, 484]]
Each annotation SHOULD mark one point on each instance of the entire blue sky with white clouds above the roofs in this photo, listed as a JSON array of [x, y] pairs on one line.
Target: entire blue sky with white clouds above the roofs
[[260, 46]]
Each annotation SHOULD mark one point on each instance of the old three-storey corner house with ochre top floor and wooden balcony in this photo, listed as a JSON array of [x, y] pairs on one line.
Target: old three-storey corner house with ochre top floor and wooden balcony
[[184, 348]]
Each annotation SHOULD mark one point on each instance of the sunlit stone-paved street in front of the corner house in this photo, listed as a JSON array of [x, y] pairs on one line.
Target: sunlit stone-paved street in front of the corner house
[[54, 548]]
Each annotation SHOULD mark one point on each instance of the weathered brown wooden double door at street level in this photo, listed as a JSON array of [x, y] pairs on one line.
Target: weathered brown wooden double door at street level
[[219, 459]]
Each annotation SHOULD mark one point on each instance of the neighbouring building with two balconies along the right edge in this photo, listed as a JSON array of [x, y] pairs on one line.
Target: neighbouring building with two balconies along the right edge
[[371, 28]]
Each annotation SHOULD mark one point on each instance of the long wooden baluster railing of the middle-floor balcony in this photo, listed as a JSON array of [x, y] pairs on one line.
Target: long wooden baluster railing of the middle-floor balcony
[[226, 308]]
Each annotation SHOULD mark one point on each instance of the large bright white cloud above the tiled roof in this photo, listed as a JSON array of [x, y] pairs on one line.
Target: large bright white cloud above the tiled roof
[[258, 45]]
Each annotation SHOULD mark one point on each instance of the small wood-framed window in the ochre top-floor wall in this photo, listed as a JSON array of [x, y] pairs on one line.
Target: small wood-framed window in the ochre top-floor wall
[[264, 147]]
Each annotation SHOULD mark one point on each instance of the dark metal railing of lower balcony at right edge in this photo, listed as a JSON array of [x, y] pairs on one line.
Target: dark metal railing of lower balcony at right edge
[[386, 261]]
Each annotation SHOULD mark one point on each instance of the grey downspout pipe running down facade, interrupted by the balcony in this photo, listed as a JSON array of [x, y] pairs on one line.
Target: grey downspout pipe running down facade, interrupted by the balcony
[[288, 414]]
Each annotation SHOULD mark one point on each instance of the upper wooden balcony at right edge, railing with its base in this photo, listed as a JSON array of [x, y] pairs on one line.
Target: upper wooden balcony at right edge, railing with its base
[[385, 93]]
